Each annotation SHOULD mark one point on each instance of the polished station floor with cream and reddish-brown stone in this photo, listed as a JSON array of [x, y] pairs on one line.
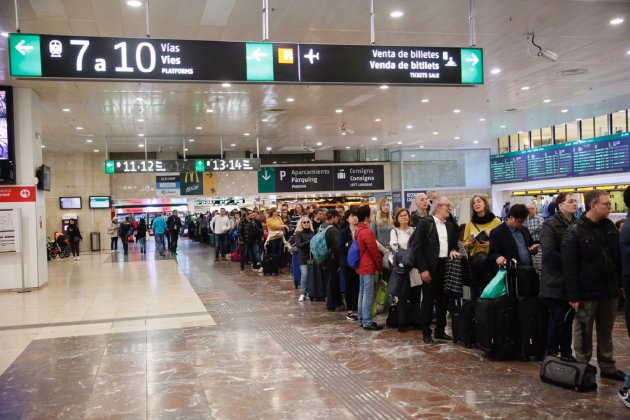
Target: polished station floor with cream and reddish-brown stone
[[185, 337]]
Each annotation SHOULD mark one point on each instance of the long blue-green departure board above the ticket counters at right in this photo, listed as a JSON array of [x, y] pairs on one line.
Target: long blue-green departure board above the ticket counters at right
[[601, 155]]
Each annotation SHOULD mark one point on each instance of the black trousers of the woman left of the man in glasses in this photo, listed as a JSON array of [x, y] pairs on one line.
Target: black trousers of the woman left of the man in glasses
[[559, 329]]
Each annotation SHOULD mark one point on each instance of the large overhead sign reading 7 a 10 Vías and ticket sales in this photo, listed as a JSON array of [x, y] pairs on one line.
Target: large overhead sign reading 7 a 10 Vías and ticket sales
[[84, 57]]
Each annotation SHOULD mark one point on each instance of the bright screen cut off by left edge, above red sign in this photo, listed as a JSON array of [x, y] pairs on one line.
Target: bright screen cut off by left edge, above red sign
[[7, 145]]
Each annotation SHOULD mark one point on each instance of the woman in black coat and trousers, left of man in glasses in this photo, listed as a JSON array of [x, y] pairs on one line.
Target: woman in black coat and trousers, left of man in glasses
[[552, 287]]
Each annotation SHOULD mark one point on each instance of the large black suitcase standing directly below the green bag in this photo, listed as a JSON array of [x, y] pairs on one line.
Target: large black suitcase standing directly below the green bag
[[496, 327]]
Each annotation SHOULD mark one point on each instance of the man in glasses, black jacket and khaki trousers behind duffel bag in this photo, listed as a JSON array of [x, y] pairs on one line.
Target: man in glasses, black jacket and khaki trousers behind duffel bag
[[590, 261]]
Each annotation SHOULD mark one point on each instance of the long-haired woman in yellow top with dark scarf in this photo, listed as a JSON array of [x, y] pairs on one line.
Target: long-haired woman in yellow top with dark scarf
[[477, 239]]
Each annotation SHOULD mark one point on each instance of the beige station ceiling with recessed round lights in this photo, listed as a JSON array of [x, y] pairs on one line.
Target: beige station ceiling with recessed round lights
[[578, 30]]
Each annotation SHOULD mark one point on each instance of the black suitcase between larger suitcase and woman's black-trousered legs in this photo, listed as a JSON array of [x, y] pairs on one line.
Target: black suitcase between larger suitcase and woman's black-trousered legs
[[532, 319]]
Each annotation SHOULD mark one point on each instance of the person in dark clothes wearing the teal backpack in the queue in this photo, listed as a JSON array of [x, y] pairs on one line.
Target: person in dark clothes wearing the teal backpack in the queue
[[331, 265]]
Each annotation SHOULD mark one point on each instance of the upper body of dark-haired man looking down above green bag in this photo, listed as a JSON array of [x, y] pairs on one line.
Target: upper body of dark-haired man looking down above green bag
[[511, 239]]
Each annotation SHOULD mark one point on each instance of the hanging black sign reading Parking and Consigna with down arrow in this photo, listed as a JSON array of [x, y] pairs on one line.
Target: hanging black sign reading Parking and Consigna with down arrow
[[321, 178]]
